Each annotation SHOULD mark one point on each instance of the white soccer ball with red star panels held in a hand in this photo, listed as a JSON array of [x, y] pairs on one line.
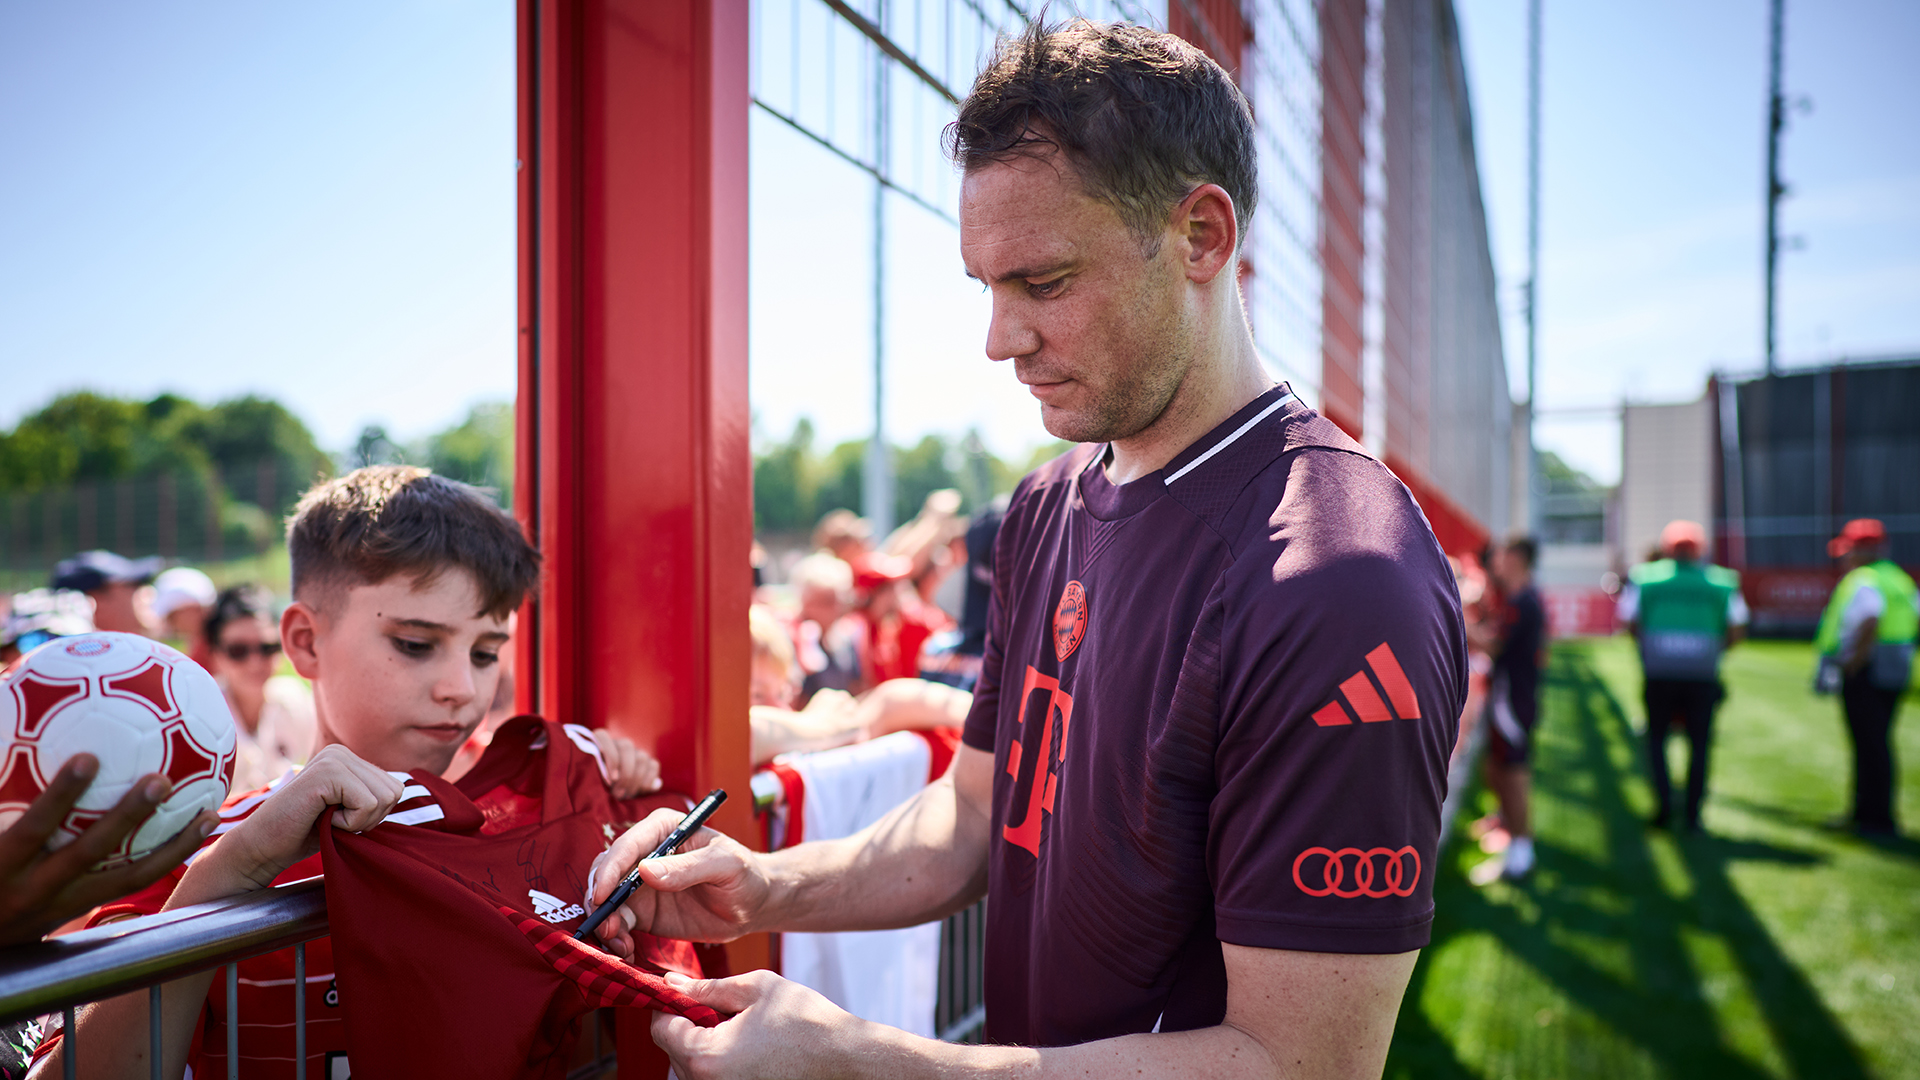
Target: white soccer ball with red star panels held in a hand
[[139, 708]]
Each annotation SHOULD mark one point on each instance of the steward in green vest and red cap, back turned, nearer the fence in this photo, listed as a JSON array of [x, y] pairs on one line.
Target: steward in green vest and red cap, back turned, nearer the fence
[[1685, 614]]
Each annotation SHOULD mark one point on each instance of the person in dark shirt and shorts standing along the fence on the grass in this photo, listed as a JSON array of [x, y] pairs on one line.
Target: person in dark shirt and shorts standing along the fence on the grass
[[1518, 647]]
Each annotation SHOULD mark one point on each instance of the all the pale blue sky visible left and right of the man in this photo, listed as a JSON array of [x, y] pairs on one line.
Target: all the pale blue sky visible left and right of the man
[[316, 203]]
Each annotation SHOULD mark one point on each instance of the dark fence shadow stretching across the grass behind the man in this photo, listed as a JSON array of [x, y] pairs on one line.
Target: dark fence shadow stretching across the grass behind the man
[[1662, 1006]]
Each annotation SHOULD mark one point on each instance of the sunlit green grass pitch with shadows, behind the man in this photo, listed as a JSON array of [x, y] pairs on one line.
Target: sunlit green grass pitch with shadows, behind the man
[[1767, 946]]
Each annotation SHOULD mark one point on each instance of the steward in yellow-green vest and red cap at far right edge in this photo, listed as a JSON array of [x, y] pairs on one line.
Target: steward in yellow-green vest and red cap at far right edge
[[1867, 652]]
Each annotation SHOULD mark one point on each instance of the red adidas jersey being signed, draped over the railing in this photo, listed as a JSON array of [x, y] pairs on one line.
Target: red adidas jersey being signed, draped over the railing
[[454, 937]]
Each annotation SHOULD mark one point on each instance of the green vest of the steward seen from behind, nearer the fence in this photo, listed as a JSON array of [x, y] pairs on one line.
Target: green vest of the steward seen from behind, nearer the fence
[[1683, 618]]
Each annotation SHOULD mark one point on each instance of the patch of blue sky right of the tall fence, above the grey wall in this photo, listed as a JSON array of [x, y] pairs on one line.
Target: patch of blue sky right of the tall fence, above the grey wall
[[1654, 162]]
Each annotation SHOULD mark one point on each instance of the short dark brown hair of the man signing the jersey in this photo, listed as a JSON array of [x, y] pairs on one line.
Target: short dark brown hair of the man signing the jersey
[[1143, 116]]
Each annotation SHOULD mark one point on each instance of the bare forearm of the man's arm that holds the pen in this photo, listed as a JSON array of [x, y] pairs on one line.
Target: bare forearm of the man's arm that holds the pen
[[926, 860]]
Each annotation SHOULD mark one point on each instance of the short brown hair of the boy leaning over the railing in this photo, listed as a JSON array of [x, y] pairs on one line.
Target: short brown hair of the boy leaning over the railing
[[400, 520]]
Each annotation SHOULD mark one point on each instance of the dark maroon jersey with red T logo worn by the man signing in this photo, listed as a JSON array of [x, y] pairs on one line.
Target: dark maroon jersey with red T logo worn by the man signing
[[1220, 704]]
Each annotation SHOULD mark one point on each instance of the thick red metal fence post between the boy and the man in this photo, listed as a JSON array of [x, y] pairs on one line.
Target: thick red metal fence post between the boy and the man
[[633, 458]]
